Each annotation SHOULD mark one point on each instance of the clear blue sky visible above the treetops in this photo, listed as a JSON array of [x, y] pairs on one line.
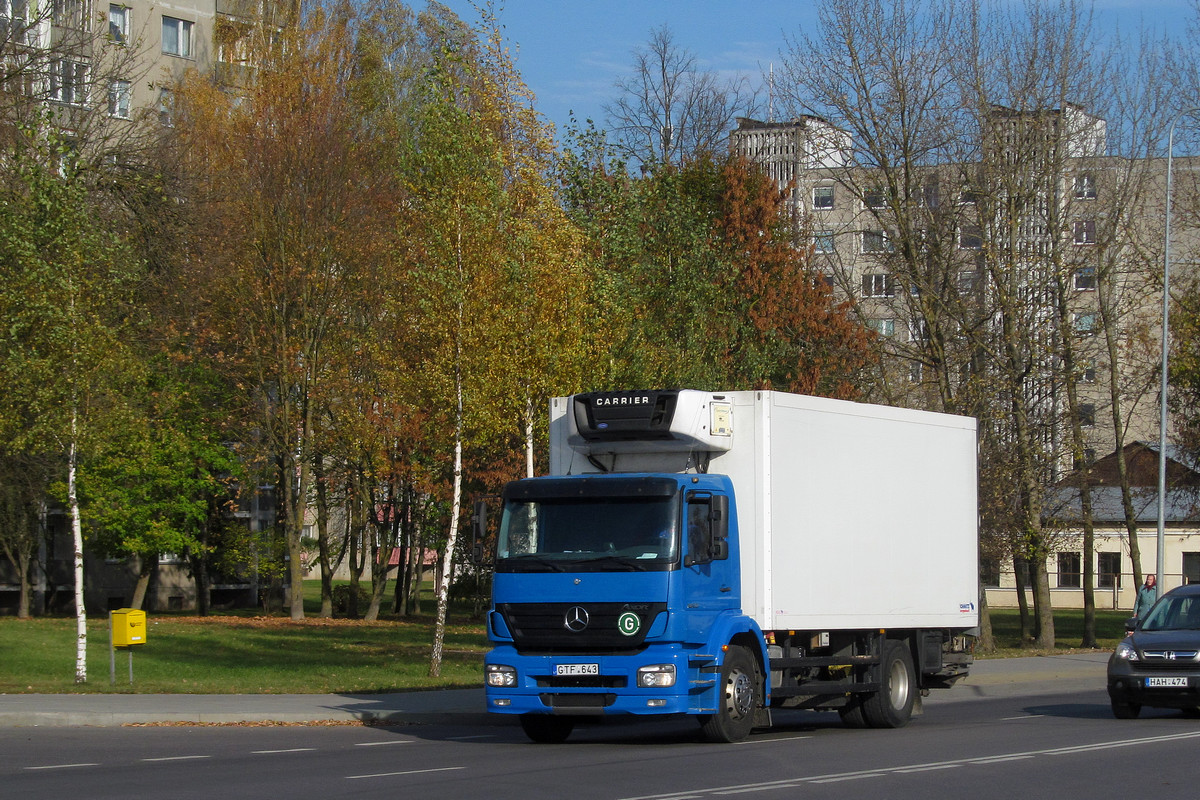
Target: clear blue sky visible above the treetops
[[571, 52]]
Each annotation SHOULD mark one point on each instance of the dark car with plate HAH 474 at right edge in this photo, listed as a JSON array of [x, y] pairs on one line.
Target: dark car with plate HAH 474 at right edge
[[1159, 663]]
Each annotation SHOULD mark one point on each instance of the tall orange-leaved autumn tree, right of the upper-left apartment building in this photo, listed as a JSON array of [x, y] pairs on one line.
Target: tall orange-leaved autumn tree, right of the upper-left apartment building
[[295, 210]]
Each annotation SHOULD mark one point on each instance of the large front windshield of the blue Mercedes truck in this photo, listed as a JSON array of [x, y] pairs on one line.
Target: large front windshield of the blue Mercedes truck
[[589, 536]]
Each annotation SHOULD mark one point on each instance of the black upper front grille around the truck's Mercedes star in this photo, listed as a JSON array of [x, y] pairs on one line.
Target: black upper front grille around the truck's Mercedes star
[[542, 628]]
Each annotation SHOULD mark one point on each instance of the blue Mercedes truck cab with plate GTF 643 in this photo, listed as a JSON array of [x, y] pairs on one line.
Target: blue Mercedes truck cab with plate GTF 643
[[608, 592]]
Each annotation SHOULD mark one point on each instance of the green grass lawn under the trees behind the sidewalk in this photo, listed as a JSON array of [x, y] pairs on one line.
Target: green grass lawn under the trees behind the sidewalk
[[251, 653]]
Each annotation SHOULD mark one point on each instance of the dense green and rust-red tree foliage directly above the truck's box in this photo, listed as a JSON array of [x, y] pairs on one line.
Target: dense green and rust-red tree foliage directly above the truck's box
[[699, 280]]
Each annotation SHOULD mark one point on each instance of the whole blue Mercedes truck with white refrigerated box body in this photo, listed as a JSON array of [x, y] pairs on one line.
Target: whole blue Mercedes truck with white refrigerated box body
[[719, 555]]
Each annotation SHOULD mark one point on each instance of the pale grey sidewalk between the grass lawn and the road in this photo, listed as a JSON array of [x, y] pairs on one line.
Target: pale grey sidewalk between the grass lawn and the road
[[989, 678]]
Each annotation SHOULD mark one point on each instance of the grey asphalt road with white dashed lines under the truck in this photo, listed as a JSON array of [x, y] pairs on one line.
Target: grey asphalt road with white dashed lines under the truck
[[1035, 744]]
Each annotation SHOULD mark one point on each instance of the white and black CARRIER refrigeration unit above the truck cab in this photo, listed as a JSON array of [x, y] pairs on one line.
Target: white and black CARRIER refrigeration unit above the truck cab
[[650, 422]]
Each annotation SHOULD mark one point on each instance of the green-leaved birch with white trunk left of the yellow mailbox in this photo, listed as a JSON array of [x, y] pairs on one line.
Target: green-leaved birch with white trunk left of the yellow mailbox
[[68, 323]]
